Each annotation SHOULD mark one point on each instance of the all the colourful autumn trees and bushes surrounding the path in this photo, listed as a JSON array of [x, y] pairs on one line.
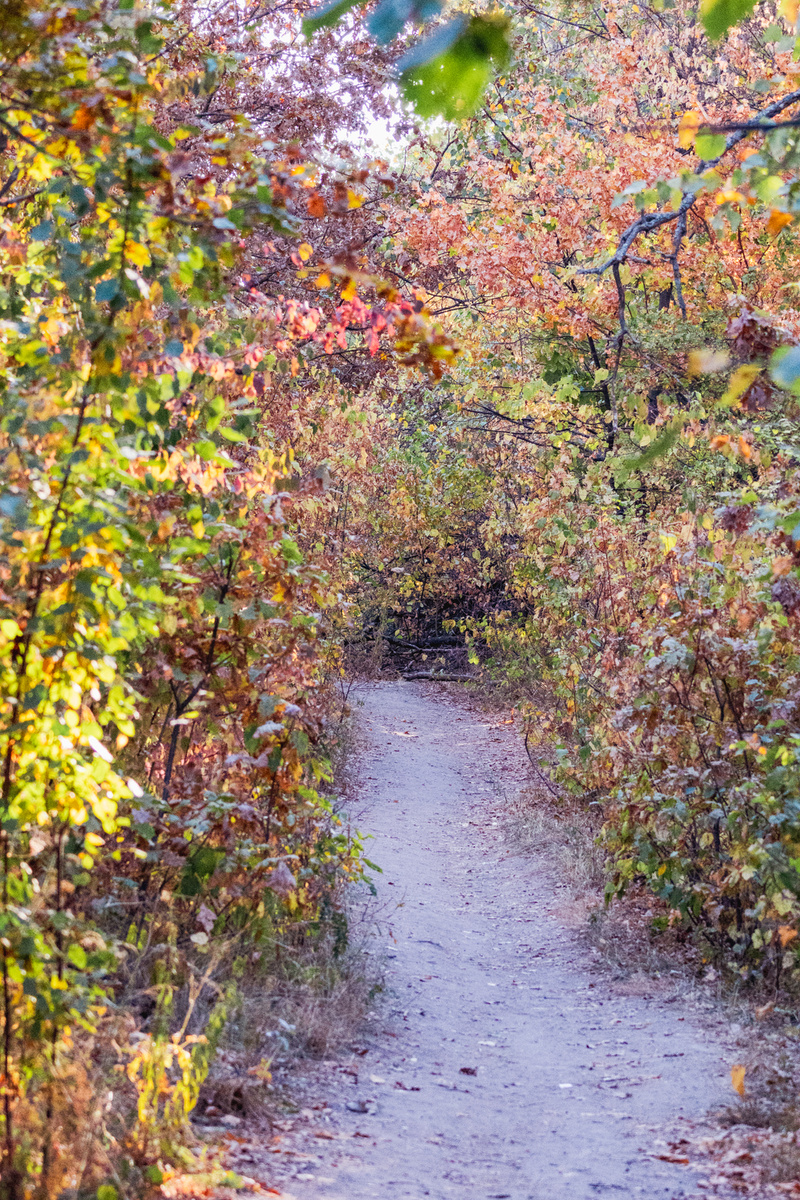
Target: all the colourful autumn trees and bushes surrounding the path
[[324, 347]]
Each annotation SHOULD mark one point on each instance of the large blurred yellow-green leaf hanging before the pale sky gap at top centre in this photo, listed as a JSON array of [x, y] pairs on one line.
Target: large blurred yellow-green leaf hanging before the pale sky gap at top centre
[[448, 73]]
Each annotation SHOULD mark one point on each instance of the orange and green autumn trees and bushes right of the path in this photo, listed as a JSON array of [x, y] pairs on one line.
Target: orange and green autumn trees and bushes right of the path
[[601, 496]]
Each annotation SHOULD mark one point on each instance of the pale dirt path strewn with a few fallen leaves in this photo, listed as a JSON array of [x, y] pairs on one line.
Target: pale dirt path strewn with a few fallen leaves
[[502, 1066]]
